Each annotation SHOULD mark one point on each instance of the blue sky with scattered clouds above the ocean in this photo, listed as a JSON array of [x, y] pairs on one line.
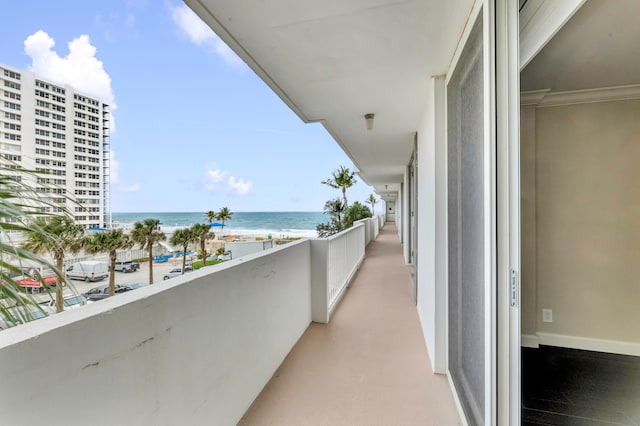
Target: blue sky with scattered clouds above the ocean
[[195, 128]]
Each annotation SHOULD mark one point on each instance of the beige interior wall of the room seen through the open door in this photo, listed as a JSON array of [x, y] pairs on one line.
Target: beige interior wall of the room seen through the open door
[[587, 238]]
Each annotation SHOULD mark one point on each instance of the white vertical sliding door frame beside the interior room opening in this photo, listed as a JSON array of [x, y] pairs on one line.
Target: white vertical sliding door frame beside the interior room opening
[[507, 92]]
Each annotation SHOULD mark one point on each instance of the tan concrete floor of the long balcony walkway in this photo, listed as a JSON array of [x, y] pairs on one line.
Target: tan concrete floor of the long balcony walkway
[[369, 365]]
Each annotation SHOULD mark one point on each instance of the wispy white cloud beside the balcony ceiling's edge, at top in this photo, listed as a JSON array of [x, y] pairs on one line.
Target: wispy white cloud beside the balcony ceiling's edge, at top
[[200, 34]]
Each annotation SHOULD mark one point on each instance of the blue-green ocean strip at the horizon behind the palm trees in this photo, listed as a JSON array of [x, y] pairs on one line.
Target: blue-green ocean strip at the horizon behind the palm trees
[[277, 224]]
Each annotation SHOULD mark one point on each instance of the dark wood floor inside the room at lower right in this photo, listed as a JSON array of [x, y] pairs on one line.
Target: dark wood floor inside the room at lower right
[[563, 386]]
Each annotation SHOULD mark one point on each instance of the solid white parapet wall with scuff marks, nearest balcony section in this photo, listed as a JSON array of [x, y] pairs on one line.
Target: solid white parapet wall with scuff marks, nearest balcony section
[[193, 350]]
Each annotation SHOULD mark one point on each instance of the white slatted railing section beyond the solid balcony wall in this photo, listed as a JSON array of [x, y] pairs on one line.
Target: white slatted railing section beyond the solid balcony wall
[[335, 261]]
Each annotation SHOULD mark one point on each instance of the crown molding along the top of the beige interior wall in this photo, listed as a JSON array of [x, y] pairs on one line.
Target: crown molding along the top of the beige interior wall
[[546, 98]]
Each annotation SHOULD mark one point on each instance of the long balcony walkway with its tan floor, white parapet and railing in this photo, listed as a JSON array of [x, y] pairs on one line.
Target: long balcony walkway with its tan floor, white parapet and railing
[[200, 349]]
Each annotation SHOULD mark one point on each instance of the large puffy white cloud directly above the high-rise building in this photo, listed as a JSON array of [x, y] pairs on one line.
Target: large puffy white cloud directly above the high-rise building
[[80, 68]]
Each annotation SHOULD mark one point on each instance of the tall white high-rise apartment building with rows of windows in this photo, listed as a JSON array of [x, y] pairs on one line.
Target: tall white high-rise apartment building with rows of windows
[[63, 135]]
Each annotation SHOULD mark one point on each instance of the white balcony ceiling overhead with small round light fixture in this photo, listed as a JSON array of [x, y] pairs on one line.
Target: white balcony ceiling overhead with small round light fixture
[[333, 61]]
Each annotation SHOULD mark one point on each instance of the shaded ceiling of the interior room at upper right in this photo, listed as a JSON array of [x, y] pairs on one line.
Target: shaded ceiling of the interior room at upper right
[[598, 47]]
